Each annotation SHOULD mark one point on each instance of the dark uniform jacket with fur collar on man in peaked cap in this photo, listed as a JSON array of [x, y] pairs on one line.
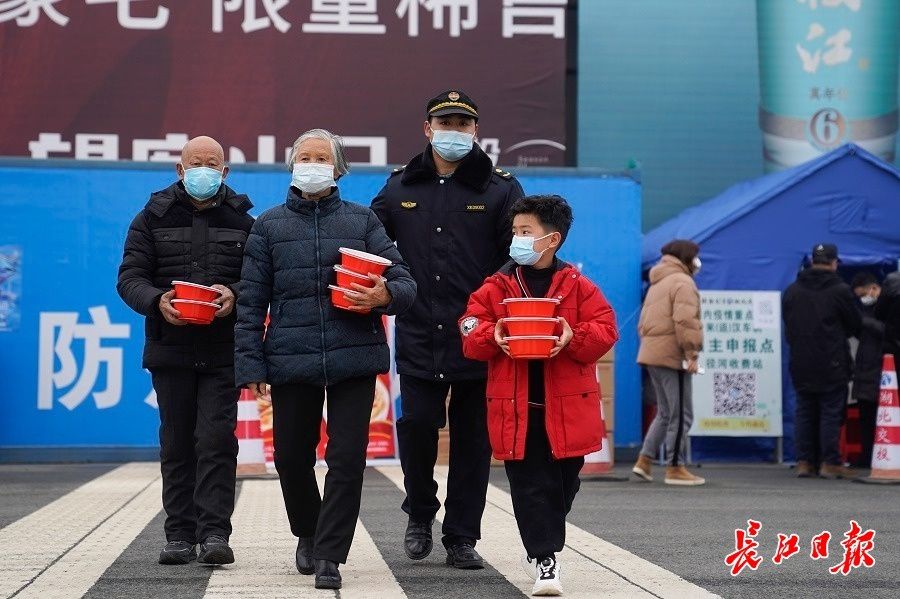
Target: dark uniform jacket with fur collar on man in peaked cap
[[453, 231]]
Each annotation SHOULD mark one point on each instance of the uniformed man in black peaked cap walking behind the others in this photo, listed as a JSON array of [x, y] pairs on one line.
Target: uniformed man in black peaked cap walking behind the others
[[448, 212]]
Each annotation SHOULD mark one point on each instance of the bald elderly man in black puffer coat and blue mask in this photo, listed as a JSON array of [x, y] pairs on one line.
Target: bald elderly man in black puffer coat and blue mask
[[194, 230]]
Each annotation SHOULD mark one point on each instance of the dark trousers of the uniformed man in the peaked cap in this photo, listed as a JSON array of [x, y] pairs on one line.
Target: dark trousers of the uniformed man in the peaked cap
[[424, 412]]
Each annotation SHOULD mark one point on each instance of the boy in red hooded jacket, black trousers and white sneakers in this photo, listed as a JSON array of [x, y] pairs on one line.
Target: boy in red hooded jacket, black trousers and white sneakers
[[543, 415]]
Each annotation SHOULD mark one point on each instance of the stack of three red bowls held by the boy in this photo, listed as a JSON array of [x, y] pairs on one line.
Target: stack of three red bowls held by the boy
[[532, 326]]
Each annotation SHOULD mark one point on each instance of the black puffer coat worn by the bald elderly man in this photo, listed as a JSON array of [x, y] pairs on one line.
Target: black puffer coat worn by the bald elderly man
[[171, 240]]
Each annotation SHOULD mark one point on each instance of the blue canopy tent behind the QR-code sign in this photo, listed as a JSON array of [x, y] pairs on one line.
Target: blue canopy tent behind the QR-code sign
[[757, 234]]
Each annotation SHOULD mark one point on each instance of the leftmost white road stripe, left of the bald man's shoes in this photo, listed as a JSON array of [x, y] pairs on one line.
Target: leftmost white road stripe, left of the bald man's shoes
[[50, 549]]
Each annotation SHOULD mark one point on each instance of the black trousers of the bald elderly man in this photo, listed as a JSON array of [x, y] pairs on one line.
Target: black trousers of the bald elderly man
[[198, 450]]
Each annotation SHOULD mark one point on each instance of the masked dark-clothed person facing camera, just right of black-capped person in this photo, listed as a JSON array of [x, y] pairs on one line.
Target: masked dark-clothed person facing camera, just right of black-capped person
[[868, 362]]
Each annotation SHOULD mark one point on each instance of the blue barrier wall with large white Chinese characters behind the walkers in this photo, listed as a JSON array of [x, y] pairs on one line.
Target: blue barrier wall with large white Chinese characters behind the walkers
[[70, 349]]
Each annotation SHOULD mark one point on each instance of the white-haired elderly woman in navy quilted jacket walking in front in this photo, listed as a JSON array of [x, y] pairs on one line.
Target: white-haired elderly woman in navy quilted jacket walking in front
[[312, 347]]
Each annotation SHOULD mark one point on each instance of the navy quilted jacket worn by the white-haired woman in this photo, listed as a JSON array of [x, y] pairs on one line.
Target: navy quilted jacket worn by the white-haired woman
[[288, 265]]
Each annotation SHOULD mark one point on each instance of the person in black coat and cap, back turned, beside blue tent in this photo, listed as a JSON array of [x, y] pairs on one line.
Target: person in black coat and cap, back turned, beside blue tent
[[820, 315]]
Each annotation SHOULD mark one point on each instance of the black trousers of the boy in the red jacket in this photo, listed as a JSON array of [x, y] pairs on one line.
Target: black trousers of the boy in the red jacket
[[542, 490]]
